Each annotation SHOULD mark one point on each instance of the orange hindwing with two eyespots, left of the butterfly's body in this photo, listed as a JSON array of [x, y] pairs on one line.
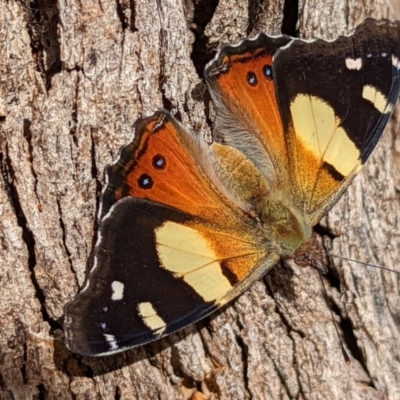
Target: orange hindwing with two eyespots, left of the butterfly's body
[[161, 169]]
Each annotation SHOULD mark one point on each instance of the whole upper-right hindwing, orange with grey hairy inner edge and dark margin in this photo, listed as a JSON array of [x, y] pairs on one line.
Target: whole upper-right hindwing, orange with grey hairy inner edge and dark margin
[[240, 80]]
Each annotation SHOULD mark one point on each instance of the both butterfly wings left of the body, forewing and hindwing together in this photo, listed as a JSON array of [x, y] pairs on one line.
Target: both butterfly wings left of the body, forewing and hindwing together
[[171, 247]]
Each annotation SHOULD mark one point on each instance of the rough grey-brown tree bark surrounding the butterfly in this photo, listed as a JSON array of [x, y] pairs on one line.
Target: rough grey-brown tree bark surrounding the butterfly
[[75, 75]]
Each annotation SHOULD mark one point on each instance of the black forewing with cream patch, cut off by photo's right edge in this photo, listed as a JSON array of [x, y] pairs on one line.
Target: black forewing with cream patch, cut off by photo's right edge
[[335, 104]]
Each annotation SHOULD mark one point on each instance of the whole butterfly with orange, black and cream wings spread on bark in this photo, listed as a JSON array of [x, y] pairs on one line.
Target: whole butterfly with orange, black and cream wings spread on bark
[[185, 226]]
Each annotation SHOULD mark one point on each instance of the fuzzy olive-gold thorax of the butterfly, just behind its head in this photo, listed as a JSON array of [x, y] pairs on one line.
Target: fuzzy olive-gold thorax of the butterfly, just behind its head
[[283, 225]]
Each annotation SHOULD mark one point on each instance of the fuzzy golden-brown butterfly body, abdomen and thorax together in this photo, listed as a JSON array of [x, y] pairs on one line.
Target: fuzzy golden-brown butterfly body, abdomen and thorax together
[[279, 220]]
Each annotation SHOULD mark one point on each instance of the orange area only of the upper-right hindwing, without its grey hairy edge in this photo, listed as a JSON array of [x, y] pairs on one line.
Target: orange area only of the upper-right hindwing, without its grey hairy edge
[[246, 86]]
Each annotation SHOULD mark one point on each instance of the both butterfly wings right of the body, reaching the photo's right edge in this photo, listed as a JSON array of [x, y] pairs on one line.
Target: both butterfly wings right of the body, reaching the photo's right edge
[[316, 108]]
